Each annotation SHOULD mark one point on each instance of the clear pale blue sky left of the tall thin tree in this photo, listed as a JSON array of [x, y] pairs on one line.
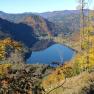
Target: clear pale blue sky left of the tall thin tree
[[19, 6]]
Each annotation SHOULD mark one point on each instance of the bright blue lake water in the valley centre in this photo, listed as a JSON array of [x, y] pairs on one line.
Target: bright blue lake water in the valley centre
[[55, 53]]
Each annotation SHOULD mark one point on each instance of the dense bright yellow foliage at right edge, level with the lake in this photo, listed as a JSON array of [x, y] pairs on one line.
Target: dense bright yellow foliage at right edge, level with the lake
[[86, 60]]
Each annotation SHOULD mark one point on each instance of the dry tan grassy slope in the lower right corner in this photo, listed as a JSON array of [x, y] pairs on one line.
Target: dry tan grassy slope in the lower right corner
[[81, 84]]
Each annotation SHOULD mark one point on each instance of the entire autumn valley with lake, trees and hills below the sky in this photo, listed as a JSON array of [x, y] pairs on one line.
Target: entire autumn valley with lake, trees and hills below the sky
[[47, 53]]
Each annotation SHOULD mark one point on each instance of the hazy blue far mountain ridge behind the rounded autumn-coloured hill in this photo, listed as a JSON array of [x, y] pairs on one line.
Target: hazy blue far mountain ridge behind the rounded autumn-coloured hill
[[58, 19]]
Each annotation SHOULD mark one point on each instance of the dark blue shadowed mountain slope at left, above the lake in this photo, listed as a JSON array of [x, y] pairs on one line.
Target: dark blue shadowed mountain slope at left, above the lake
[[20, 32]]
